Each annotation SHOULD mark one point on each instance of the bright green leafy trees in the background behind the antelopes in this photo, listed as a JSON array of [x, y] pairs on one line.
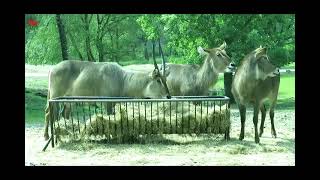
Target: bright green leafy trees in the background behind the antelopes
[[116, 37]]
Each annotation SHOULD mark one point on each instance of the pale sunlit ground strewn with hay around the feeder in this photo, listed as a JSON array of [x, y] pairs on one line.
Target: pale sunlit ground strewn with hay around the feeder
[[176, 150]]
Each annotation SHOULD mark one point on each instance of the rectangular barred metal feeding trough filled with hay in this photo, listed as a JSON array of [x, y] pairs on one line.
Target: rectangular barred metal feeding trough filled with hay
[[122, 118]]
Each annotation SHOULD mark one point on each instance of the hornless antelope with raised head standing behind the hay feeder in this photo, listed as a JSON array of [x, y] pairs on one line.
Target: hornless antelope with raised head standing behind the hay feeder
[[194, 80]]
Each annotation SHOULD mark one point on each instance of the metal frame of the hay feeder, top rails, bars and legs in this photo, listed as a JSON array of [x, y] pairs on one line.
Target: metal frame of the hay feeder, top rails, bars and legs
[[106, 99]]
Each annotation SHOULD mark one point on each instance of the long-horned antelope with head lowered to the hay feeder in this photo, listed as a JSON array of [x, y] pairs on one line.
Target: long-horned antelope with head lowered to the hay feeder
[[81, 78]]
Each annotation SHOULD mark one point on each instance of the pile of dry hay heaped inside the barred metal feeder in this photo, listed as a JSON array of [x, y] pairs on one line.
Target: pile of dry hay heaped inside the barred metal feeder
[[136, 119]]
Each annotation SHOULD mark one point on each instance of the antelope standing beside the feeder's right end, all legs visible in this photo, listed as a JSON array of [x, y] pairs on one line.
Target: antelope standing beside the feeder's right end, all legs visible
[[256, 80]]
